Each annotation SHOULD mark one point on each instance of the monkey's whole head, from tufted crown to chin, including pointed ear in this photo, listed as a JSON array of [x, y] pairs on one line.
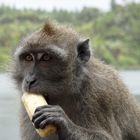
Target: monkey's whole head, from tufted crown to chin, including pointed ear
[[48, 66]]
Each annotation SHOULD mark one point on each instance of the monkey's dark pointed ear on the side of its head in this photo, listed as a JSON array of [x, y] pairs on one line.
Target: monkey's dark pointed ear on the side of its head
[[84, 50]]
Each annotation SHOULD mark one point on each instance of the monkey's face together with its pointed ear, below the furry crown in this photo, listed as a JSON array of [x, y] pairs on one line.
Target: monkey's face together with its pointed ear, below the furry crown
[[49, 69]]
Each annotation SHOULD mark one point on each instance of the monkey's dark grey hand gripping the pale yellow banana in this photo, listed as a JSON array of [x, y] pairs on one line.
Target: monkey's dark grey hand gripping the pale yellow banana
[[50, 114]]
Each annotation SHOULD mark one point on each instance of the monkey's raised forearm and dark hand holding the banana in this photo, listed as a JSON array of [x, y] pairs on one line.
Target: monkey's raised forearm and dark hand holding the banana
[[67, 130]]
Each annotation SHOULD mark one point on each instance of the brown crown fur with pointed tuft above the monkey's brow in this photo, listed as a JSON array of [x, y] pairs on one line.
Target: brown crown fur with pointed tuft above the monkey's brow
[[53, 33]]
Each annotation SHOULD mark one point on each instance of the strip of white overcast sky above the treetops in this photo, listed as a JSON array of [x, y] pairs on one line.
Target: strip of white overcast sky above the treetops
[[61, 4]]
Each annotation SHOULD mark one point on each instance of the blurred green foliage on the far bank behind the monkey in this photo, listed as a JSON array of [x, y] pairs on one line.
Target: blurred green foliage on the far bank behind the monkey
[[114, 35]]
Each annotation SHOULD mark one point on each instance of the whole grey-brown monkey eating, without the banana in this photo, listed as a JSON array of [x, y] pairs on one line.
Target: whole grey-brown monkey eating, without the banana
[[87, 99]]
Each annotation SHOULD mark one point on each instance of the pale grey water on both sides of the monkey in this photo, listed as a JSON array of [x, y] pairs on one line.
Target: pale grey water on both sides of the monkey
[[9, 106]]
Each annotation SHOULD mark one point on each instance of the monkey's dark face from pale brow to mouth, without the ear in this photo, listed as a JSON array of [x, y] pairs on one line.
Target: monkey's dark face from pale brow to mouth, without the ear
[[43, 69]]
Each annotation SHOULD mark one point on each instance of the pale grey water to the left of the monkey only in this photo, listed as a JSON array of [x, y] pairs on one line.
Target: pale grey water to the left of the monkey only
[[9, 106]]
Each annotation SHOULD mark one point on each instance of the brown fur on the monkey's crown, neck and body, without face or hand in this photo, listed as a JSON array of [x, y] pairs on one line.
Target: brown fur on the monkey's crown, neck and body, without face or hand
[[102, 105]]
